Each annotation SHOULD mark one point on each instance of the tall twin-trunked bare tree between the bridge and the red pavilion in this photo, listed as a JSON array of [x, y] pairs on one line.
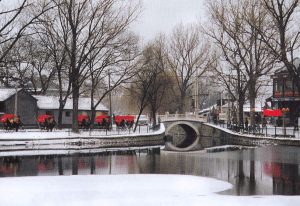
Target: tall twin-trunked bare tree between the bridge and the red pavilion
[[242, 47]]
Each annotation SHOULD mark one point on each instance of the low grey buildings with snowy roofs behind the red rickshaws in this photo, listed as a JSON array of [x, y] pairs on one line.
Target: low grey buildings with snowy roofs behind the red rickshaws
[[29, 107]]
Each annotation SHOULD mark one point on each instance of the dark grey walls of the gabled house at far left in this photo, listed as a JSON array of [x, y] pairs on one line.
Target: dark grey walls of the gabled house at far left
[[26, 107]]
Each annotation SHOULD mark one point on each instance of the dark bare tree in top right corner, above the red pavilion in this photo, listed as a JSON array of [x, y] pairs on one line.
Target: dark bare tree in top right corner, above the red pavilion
[[285, 41]]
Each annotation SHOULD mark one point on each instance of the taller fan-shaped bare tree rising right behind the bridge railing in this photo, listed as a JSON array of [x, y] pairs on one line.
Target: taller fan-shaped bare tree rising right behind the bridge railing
[[188, 58]]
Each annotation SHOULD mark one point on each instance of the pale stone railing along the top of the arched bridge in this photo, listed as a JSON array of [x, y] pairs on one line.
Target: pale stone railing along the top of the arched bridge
[[187, 116]]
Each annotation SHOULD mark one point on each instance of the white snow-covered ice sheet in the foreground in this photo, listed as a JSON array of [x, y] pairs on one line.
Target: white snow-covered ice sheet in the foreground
[[127, 190]]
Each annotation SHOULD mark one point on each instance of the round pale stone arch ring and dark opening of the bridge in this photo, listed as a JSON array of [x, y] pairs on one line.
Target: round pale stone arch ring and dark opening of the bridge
[[190, 141]]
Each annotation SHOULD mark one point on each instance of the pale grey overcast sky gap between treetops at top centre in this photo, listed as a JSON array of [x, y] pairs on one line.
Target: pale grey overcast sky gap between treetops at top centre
[[160, 16]]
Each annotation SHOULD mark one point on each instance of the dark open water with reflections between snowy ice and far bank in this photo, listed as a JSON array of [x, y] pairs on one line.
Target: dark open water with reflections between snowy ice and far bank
[[260, 171]]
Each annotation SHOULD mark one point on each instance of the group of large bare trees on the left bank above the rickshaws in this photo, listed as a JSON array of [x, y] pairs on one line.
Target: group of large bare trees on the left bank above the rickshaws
[[68, 43]]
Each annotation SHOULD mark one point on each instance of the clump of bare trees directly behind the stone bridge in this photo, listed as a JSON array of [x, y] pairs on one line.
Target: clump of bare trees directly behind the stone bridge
[[169, 68]]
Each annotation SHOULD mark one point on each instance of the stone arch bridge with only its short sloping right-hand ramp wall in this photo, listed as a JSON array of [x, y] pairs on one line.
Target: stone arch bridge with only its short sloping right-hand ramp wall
[[190, 132]]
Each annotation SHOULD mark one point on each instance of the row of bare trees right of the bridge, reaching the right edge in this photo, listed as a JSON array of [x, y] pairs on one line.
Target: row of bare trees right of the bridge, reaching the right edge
[[252, 38]]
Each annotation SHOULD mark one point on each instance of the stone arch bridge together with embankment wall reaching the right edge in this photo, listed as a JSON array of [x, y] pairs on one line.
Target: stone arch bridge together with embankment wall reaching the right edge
[[191, 132]]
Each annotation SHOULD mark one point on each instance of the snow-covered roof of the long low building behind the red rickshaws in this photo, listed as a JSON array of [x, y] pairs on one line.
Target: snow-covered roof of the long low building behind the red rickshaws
[[52, 102]]
